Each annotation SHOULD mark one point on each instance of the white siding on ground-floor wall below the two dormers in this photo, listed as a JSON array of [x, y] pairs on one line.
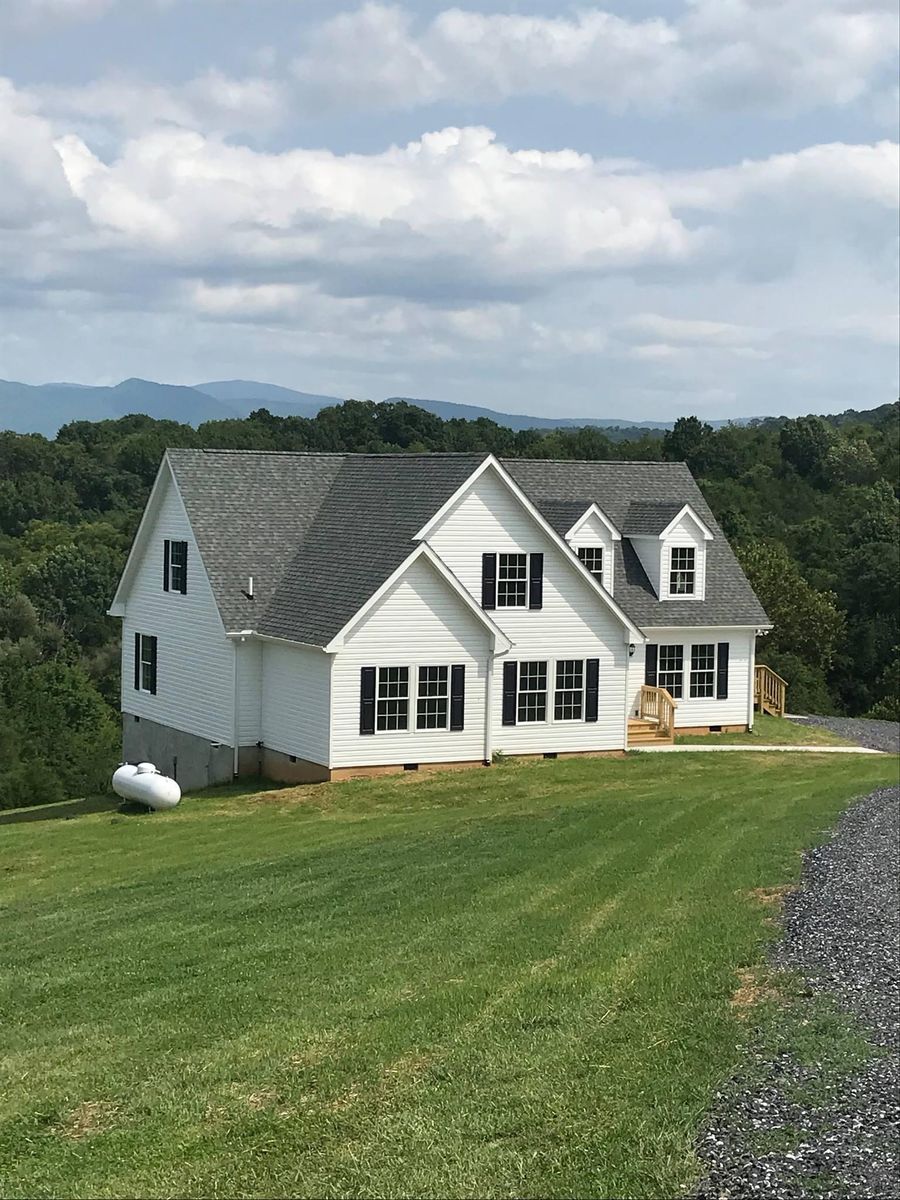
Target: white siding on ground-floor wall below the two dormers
[[705, 710]]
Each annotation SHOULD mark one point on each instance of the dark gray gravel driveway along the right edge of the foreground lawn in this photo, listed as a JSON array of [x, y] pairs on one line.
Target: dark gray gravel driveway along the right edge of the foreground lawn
[[789, 1130]]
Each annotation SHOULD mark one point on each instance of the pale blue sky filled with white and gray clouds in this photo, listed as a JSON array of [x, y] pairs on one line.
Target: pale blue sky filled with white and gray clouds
[[632, 211]]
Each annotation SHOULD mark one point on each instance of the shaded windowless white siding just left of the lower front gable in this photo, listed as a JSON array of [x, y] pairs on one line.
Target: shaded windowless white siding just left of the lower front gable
[[297, 693]]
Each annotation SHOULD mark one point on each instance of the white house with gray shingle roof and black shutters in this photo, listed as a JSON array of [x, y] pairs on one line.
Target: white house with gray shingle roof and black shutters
[[316, 616]]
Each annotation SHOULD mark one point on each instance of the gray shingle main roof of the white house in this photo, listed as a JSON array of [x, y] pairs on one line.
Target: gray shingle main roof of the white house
[[320, 533]]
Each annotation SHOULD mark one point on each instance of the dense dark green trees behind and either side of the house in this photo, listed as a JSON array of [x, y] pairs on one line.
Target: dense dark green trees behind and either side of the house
[[811, 507]]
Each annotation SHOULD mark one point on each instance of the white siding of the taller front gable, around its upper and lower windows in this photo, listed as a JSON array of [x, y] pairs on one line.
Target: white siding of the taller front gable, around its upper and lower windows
[[573, 623]]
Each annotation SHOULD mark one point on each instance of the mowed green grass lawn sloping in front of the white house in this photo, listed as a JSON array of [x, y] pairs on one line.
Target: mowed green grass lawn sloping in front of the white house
[[491, 983]]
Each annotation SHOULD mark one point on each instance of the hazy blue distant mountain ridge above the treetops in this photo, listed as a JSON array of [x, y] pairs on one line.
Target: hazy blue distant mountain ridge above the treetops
[[44, 409]]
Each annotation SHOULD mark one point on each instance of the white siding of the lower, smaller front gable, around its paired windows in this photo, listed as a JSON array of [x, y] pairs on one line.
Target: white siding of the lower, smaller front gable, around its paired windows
[[419, 623]]
